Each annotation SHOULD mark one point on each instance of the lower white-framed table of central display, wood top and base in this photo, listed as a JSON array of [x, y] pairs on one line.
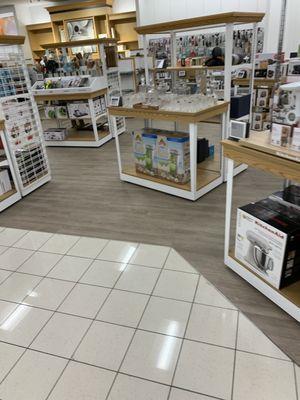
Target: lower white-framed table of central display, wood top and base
[[204, 177]]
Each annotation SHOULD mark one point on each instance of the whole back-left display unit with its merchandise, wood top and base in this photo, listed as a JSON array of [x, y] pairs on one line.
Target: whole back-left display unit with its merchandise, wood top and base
[[73, 97]]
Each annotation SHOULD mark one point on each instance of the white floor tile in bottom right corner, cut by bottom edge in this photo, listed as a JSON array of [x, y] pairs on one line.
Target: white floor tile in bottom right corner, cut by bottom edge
[[267, 377]]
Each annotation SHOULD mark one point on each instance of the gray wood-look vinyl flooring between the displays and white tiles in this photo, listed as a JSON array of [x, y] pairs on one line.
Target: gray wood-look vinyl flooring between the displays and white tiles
[[86, 197]]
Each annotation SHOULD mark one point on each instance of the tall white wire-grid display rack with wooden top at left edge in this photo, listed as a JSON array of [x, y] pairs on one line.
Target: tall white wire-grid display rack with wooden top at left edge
[[23, 129]]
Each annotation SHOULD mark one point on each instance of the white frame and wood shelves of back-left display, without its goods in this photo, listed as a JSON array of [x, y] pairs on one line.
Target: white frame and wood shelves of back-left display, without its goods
[[108, 84]]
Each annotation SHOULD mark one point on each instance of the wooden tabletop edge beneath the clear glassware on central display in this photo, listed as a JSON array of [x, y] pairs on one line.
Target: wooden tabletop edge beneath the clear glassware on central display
[[162, 115]]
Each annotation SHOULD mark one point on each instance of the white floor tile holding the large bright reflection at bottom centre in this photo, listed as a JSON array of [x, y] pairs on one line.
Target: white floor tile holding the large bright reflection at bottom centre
[[152, 356]]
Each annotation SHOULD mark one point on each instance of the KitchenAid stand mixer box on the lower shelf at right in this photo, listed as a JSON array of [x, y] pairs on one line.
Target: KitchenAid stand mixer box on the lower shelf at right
[[268, 243]]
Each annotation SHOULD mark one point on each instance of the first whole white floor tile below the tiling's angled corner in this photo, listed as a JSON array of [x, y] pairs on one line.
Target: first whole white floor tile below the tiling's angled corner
[[176, 285]]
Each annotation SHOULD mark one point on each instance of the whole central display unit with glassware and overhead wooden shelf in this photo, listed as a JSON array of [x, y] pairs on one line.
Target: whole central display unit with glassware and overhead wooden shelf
[[201, 175]]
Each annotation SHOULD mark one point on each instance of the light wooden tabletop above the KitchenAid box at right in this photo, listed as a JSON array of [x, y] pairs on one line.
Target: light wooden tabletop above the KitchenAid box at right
[[263, 159]]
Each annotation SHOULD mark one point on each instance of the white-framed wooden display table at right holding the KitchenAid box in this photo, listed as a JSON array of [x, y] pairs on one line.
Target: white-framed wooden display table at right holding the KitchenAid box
[[257, 153]]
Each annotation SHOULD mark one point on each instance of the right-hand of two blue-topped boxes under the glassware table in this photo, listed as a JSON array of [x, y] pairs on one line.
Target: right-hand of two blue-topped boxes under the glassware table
[[173, 157]]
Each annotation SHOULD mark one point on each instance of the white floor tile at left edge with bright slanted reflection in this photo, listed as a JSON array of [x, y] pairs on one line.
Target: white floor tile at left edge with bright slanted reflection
[[23, 324]]
